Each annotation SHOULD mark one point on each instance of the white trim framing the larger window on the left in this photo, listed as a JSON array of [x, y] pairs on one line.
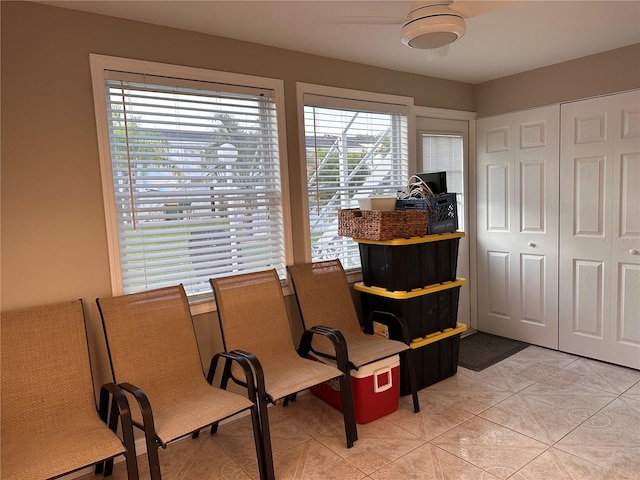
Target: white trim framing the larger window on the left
[[100, 63]]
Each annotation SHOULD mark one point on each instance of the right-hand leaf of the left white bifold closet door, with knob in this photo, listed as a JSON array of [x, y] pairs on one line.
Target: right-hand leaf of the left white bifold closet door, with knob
[[537, 161]]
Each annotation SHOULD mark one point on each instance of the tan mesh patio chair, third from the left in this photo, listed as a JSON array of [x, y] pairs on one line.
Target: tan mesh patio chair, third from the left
[[253, 318]]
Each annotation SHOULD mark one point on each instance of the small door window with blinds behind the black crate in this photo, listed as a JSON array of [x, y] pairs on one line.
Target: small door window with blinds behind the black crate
[[444, 153]]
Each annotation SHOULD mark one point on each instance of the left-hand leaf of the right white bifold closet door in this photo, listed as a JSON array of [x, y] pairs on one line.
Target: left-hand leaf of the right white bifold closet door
[[585, 224]]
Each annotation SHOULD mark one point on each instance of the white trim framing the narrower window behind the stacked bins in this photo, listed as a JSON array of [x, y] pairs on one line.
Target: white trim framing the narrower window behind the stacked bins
[[346, 94]]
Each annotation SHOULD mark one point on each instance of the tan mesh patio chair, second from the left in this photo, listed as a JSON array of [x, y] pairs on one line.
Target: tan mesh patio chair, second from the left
[[154, 356]]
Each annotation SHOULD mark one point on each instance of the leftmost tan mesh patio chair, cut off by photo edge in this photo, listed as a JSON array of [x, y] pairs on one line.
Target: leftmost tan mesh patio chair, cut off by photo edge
[[50, 423]]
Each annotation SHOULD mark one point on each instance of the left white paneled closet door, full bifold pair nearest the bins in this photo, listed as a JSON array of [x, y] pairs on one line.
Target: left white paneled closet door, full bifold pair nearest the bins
[[517, 225]]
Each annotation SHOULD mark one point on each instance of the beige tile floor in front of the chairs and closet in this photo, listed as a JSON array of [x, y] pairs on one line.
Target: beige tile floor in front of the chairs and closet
[[538, 415]]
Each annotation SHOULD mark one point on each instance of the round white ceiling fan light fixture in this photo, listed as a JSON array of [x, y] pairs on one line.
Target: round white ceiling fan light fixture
[[432, 26]]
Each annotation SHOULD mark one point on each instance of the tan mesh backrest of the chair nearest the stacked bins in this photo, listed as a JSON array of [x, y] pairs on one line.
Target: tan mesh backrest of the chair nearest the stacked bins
[[324, 296]]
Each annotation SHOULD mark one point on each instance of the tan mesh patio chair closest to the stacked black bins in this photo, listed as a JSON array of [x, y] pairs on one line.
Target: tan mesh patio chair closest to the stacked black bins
[[324, 298]]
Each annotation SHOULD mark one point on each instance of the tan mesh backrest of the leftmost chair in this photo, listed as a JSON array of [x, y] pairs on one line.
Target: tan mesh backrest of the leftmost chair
[[46, 374]]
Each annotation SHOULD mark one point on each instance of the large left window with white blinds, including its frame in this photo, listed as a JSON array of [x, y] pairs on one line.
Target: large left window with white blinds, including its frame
[[192, 174]]
